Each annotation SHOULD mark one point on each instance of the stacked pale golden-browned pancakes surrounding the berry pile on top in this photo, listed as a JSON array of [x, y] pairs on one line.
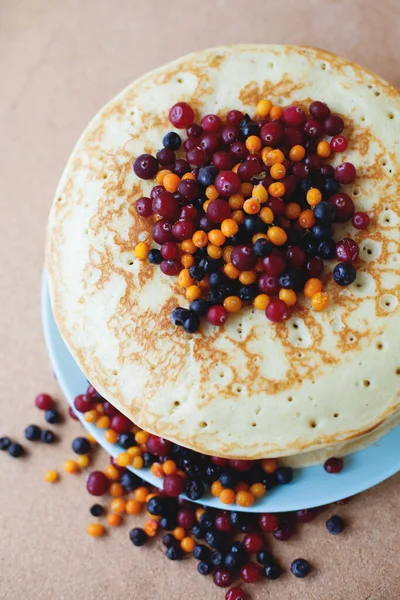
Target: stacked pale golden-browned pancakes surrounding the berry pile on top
[[251, 388]]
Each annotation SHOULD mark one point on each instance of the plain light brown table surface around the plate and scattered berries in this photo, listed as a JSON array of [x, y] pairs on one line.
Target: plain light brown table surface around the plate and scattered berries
[[59, 62]]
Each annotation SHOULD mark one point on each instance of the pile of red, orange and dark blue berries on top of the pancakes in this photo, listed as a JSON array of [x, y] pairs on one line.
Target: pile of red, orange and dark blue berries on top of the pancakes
[[247, 216]]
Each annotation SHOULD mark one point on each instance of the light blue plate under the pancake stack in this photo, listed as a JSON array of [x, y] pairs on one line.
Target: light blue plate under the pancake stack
[[311, 486]]
